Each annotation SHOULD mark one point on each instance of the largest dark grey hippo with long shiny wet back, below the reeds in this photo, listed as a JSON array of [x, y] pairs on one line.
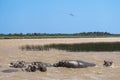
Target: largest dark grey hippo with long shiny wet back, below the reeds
[[74, 64]]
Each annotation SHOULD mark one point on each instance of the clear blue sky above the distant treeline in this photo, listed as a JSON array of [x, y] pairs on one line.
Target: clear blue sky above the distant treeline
[[53, 16]]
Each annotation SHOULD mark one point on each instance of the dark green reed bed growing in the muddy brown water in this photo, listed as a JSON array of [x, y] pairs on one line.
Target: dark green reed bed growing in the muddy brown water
[[101, 46]]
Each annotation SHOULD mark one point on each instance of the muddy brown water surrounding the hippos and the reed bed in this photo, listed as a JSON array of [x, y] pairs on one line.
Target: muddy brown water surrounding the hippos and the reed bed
[[9, 51]]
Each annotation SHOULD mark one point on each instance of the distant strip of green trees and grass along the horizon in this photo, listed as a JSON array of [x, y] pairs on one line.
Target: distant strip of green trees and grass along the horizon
[[46, 35]]
